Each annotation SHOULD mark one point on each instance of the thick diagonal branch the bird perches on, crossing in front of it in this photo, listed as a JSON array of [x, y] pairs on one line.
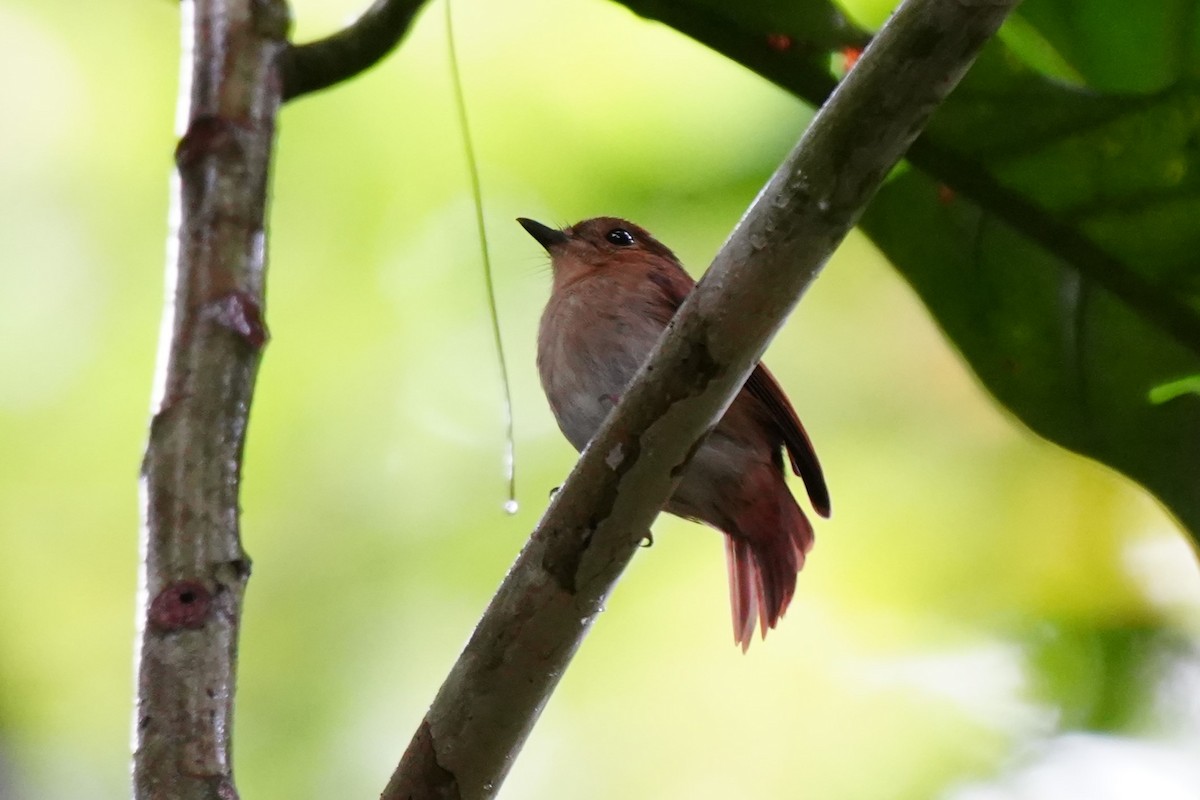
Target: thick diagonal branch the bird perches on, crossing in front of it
[[532, 629]]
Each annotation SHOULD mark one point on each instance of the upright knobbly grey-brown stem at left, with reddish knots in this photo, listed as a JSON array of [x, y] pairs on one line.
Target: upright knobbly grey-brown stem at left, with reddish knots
[[195, 570]]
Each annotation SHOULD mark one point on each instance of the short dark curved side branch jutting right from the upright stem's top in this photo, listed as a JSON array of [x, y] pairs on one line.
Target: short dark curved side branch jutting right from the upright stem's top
[[365, 43]]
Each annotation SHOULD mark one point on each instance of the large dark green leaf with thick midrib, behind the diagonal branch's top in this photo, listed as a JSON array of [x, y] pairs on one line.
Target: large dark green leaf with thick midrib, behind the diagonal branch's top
[[1052, 222]]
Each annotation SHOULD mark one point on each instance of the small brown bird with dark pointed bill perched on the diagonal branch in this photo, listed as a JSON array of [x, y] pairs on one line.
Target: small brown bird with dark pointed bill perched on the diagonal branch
[[616, 288]]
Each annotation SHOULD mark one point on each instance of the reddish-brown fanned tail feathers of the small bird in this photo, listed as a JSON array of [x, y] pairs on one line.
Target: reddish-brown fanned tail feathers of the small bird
[[765, 555]]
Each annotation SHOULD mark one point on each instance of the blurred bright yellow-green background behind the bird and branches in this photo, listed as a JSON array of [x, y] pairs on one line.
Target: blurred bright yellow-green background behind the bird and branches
[[985, 618]]
